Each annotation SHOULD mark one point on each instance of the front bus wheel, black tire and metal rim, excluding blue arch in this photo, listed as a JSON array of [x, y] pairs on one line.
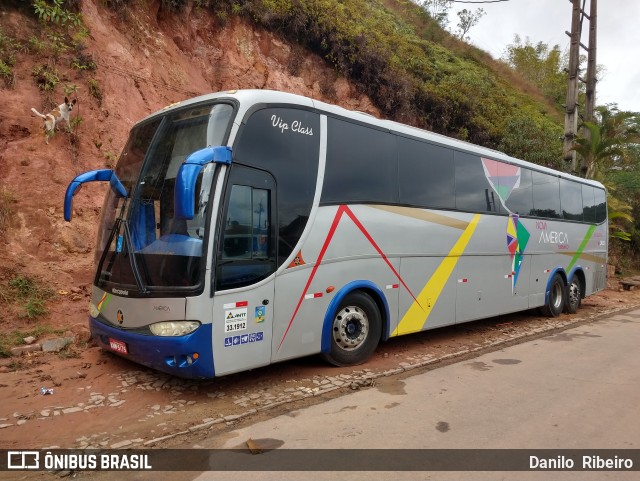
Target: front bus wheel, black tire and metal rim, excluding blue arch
[[355, 330]]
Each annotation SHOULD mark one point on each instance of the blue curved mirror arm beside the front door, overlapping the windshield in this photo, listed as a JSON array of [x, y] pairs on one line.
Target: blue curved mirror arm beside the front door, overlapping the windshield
[[184, 194]]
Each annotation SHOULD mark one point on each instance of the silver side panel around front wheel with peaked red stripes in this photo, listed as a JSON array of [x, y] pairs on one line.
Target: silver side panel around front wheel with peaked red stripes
[[346, 244]]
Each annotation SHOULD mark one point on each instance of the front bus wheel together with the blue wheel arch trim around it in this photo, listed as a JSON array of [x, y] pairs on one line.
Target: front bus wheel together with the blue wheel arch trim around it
[[353, 326]]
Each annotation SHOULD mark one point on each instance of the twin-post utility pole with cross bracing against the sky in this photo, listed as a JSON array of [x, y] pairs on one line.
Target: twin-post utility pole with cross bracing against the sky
[[572, 113]]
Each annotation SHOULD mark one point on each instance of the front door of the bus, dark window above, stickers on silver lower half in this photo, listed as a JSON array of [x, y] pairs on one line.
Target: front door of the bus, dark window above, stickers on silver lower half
[[244, 278]]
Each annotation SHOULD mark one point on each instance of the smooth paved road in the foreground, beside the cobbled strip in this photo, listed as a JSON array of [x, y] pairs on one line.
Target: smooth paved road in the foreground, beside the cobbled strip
[[578, 389]]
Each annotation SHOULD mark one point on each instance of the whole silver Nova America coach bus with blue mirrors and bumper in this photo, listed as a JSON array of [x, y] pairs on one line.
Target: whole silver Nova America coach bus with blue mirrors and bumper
[[248, 227]]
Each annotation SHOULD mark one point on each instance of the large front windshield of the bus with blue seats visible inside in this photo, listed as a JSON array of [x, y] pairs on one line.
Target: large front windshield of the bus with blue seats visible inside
[[141, 245]]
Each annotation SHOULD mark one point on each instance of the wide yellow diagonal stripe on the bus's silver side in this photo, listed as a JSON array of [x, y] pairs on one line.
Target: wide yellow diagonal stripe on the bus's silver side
[[416, 316]]
